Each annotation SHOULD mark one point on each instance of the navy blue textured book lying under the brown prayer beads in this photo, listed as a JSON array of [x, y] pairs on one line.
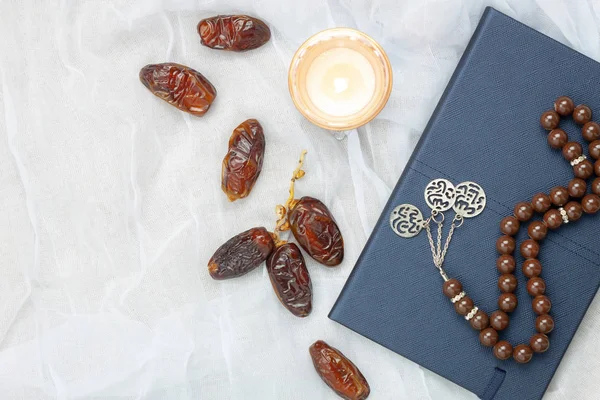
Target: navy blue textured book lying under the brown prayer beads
[[485, 129]]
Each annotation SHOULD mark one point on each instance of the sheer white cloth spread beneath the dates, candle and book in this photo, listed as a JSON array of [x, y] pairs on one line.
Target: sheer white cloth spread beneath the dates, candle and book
[[111, 203]]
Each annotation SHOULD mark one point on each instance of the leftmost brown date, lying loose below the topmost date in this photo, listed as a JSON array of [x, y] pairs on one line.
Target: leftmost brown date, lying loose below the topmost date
[[179, 86]]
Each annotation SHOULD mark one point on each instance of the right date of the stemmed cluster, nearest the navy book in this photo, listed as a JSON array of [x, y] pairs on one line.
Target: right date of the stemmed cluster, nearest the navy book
[[317, 232]]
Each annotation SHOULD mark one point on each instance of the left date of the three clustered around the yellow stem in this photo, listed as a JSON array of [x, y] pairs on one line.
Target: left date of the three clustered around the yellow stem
[[241, 254]]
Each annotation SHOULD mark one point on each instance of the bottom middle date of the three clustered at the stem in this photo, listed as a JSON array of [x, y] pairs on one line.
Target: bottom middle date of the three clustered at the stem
[[290, 279]]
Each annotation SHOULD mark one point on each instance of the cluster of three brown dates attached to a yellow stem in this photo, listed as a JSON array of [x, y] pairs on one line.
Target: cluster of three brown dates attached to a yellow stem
[[315, 230]]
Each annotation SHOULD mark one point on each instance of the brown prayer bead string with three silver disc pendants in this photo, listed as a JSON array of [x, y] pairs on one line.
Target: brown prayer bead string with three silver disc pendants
[[561, 206]]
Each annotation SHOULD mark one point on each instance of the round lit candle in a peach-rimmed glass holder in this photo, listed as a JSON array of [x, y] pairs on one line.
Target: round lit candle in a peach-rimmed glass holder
[[340, 79]]
